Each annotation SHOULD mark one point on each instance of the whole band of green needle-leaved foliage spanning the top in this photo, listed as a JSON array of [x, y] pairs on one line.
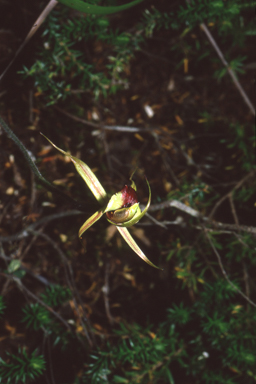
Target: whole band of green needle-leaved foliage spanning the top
[[64, 67]]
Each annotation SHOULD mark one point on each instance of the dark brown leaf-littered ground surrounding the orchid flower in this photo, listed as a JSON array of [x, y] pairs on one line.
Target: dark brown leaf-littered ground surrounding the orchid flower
[[183, 144]]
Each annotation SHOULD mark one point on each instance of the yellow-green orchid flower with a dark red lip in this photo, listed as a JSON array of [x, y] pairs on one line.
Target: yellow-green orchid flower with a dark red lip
[[122, 210]]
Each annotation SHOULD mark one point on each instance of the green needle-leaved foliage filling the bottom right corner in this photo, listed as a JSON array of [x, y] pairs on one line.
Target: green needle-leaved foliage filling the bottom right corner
[[200, 340]]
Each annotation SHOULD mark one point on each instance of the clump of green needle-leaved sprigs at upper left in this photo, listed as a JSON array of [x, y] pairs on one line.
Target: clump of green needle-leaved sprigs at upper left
[[65, 68]]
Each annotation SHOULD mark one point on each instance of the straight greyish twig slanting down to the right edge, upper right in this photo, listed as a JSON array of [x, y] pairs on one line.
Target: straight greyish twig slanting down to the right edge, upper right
[[230, 71]]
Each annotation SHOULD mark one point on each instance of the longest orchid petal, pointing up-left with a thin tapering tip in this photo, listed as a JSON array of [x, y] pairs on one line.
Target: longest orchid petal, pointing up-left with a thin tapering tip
[[86, 173]]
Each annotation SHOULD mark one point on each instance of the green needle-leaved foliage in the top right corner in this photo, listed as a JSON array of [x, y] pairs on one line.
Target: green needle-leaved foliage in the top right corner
[[226, 18]]
